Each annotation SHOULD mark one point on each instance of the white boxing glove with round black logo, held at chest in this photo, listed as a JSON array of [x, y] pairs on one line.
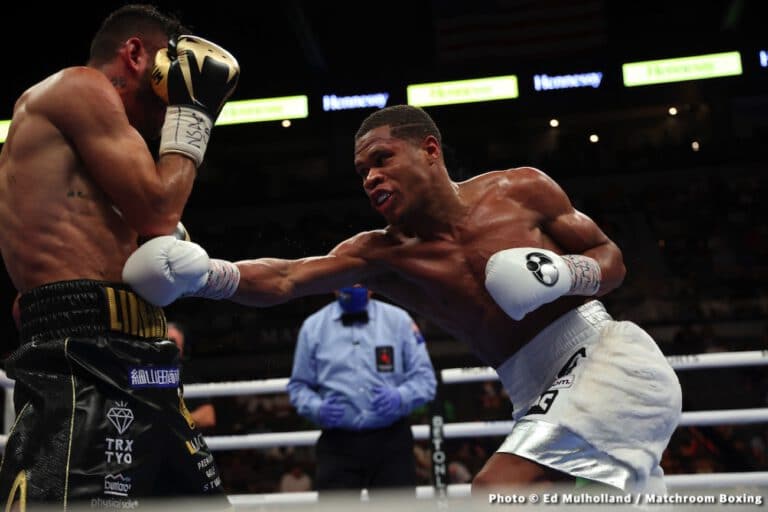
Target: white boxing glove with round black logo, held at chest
[[522, 279]]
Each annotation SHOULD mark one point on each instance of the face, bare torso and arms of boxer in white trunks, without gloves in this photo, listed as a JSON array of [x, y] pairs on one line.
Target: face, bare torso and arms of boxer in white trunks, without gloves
[[431, 258]]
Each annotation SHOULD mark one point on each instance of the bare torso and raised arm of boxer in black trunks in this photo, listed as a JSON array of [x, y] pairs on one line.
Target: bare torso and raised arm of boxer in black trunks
[[72, 161]]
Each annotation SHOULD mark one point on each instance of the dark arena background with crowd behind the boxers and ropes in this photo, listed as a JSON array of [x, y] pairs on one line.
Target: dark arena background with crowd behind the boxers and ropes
[[692, 224]]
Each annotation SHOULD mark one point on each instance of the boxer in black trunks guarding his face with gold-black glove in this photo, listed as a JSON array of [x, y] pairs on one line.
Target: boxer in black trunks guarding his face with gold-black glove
[[100, 415]]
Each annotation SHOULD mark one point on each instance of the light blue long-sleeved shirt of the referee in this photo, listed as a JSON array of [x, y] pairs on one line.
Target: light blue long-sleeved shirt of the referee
[[349, 361]]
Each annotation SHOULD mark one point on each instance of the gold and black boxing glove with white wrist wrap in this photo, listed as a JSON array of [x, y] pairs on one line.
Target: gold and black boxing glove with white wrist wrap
[[195, 77]]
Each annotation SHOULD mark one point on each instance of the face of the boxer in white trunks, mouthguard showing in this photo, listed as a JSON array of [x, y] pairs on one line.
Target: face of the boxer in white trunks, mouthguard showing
[[395, 173]]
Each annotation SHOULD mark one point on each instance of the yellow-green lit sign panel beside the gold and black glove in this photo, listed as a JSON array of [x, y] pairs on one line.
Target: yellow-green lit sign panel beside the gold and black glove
[[264, 109]]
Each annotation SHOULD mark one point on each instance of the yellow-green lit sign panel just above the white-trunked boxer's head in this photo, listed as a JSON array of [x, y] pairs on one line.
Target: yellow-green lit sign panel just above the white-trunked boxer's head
[[463, 91]]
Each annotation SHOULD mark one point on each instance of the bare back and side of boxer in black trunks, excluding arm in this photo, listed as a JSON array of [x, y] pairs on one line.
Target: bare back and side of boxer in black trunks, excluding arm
[[55, 223]]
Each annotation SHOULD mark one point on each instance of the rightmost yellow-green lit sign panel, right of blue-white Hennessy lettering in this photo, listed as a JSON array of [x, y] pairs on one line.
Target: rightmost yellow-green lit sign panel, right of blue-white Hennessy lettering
[[681, 69]]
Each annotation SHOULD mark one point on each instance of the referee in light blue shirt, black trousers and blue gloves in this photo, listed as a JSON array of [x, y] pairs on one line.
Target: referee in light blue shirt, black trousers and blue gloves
[[360, 368]]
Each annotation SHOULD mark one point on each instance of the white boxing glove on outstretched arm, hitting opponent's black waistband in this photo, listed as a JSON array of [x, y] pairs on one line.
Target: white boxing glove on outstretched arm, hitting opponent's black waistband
[[165, 268]]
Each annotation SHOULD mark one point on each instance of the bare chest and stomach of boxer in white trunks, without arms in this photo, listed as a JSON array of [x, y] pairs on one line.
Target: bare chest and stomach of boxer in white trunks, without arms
[[442, 278]]
